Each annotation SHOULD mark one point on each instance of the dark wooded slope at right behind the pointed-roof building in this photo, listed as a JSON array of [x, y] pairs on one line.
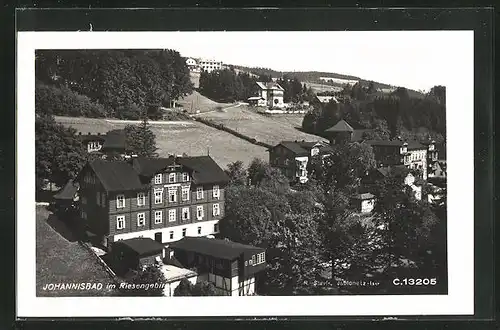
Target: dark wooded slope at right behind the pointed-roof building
[[386, 116]]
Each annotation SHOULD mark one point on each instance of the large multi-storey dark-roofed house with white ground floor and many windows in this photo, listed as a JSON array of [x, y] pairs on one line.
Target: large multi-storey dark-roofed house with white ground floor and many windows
[[164, 199]]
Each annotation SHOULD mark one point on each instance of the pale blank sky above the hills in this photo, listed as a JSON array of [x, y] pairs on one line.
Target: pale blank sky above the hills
[[414, 59]]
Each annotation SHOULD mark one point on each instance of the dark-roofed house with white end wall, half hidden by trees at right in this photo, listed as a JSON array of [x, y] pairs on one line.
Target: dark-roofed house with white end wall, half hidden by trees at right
[[399, 171]]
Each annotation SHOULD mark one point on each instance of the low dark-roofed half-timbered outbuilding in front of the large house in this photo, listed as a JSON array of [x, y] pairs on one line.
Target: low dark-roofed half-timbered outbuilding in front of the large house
[[230, 266]]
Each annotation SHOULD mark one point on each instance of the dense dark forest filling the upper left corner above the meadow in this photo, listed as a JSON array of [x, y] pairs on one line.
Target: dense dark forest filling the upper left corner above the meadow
[[124, 84]]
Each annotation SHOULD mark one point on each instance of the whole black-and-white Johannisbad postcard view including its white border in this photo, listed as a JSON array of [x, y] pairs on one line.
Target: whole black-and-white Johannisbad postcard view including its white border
[[256, 165]]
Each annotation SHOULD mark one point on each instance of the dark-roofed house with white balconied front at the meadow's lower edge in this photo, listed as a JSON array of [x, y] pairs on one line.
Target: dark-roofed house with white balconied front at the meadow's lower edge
[[292, 157]]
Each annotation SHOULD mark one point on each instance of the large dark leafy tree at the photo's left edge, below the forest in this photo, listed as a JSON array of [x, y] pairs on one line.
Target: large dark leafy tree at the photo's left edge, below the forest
[[59, 155]]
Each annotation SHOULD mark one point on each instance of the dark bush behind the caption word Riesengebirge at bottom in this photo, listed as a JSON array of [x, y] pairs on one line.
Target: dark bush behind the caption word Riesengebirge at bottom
[[152, 276]]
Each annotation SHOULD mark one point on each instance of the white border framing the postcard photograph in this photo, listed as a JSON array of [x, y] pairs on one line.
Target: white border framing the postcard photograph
[[460, 170]]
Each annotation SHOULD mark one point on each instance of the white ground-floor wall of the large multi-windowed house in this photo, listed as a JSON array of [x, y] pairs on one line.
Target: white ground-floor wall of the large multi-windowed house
[[207, 228]]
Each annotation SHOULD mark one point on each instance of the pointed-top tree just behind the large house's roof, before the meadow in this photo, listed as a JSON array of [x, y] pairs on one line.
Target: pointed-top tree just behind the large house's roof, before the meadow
[[141, 139]]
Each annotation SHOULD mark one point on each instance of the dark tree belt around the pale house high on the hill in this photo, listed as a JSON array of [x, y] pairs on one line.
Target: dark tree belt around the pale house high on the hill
[[229, 86]]
